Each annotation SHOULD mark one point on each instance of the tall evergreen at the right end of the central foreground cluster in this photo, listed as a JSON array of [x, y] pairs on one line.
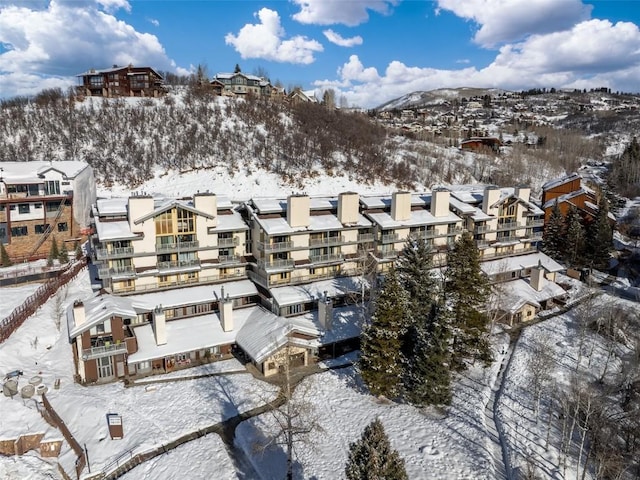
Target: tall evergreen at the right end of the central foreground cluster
[[467, 291]]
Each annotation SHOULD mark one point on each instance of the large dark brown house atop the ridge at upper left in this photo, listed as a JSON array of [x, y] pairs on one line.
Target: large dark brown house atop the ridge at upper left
[[118, 81]]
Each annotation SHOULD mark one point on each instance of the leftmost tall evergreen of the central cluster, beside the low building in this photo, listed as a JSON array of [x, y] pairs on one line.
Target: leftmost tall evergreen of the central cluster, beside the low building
[[380, 359]]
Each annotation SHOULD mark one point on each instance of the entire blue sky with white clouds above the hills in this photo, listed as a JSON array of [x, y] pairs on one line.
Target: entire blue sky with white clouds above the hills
[[370, 51]]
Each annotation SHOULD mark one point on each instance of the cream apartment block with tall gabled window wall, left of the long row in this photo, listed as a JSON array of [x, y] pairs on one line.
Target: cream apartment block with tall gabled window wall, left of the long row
[[144, 243]]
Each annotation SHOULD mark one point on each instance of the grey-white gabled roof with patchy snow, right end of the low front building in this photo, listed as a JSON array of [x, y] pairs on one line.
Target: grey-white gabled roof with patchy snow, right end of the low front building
[[264, 333]]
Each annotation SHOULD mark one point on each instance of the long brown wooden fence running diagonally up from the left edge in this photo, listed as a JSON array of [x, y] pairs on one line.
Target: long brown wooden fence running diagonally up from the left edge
[[9, 324]]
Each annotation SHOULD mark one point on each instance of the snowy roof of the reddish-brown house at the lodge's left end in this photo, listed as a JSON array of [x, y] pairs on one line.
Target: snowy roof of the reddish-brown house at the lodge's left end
[[97, 310]]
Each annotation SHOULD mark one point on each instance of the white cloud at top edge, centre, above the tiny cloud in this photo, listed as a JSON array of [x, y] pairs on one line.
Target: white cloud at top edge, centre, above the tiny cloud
[[350, 13]]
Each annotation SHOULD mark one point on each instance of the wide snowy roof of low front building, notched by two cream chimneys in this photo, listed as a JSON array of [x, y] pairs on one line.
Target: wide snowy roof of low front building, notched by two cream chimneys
[[187, 335]]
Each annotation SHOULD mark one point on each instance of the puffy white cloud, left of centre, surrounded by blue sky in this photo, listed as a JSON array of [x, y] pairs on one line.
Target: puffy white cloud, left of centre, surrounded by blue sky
[[265, 40]]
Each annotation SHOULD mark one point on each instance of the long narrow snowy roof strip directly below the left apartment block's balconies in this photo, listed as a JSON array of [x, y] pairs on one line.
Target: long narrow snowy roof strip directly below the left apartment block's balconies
[[194, 295]]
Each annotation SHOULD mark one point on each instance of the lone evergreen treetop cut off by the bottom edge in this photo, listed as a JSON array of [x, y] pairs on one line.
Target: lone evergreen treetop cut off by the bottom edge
[[372, 458]]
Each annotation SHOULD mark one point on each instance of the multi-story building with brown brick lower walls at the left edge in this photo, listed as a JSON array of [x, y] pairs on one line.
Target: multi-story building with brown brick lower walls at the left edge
[[40, 201]]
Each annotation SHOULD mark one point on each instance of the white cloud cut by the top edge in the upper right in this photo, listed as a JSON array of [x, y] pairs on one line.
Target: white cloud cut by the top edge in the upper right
[[512, 20]]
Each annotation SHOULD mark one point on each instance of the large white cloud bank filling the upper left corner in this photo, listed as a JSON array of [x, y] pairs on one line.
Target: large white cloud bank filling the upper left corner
[[64, 38]]
